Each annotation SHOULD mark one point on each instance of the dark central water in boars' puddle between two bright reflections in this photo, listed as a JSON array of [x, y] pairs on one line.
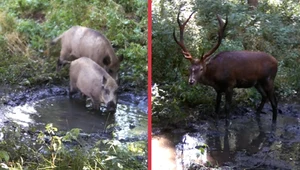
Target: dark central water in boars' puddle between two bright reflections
[[67, 114]]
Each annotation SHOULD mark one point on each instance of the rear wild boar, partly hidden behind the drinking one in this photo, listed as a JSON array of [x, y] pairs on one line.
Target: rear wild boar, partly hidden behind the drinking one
[[80, 41]]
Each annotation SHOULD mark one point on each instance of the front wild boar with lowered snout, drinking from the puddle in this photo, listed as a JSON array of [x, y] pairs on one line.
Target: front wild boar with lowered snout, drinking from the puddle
[[93, 81]]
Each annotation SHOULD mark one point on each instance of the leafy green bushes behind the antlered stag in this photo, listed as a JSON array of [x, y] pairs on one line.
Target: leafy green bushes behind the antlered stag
[[272, 27]]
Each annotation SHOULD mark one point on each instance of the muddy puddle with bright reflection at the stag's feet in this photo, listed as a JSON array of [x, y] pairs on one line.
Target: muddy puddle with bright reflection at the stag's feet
[[246, 141]]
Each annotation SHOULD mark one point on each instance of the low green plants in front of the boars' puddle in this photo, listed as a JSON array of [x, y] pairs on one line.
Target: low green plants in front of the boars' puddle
[[53, 149]]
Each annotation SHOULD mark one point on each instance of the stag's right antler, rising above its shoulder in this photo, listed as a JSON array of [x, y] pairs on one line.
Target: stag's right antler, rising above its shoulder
[[222, 27]]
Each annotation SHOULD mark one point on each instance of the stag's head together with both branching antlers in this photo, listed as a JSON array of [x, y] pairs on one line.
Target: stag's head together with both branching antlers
[[198, 66]]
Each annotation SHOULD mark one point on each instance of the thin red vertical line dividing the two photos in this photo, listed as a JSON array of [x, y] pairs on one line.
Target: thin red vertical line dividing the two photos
[[149, 81]]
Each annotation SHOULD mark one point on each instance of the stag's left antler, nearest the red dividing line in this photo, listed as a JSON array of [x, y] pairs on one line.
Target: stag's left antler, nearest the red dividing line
[[185, 52]]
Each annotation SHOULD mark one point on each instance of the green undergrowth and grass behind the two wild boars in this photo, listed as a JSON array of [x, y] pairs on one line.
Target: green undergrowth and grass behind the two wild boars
[[27, 27]]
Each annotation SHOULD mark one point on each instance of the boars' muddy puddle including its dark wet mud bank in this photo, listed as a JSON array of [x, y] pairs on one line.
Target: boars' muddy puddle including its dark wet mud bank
[[39, 107]]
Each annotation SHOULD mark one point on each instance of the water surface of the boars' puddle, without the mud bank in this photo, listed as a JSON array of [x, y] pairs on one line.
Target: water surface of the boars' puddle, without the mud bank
[[66, 114]]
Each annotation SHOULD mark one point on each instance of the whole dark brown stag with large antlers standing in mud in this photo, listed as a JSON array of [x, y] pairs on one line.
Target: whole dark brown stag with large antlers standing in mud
[[231, 69]]
